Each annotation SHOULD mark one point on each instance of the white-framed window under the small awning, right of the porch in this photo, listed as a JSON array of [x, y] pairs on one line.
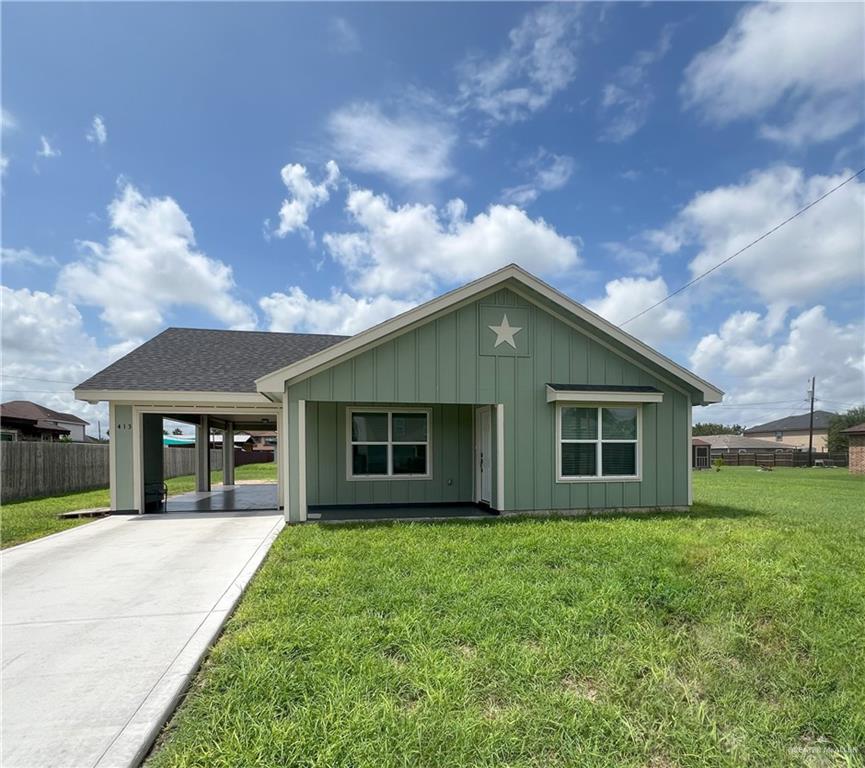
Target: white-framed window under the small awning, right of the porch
[[598, 442]]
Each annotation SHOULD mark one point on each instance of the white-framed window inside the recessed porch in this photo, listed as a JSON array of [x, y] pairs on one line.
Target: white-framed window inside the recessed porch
[[388, 443]]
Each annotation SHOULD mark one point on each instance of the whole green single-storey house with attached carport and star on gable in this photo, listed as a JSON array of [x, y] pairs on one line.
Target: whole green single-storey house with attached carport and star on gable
[[503, 393]]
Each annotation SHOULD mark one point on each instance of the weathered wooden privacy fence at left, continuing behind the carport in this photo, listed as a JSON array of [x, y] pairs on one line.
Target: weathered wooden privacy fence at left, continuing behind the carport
[[32, 469]]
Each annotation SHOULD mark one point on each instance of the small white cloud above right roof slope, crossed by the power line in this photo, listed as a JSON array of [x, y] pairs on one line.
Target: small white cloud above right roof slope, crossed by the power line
[[626, 296]]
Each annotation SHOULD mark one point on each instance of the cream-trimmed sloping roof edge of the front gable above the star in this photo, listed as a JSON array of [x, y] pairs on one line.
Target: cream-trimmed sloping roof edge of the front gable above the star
[[273, 383]]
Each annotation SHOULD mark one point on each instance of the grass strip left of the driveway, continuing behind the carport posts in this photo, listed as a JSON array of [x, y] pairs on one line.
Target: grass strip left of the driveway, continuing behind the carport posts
[[22, 521]]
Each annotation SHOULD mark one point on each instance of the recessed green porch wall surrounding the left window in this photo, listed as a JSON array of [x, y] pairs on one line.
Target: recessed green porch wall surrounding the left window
[[452, 454]]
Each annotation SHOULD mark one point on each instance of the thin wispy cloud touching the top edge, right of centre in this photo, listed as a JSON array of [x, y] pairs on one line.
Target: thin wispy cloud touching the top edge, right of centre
[[539, 62]]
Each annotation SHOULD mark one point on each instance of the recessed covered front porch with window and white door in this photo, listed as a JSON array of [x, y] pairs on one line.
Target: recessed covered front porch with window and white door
[[356, 461]]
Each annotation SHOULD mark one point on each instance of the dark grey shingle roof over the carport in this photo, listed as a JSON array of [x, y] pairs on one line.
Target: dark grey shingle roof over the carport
[[199, 360]]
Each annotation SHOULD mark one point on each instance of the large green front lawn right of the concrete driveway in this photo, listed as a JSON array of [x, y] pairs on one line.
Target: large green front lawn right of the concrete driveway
[[733, 635]]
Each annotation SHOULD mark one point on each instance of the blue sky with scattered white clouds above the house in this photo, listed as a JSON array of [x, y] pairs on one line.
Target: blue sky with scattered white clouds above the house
[[322, 167]]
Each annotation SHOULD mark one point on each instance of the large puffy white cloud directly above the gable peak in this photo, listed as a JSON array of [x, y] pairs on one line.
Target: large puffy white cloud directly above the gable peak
[[409, 250]]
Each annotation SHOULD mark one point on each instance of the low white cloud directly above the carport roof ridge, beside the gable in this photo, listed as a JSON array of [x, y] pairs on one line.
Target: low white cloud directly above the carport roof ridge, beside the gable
[[341, 313]]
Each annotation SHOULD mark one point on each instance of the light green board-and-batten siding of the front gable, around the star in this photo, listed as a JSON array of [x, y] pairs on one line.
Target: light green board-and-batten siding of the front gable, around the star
[[439, 363]]
